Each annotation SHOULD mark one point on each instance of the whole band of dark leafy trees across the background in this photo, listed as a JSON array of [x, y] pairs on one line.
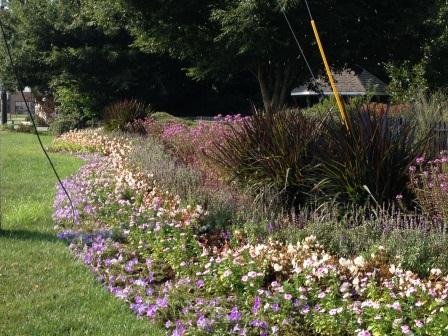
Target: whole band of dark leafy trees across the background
[[114, 49]]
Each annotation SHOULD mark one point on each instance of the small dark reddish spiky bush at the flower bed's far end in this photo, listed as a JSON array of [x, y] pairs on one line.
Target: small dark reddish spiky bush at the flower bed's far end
[[118, 115]]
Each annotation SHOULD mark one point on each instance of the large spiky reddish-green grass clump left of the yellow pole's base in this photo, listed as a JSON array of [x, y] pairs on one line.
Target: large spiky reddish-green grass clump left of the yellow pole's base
[[272, 154]]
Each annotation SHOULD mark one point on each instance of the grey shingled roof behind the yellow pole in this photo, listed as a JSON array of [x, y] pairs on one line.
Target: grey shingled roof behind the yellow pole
[[349, 83]]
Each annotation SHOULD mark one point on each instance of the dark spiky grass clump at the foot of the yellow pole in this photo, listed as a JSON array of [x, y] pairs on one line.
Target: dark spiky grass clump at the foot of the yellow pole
[[370, 161]]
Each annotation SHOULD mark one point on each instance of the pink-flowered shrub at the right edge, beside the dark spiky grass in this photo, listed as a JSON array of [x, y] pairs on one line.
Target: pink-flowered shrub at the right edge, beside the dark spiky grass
[[429, 180]]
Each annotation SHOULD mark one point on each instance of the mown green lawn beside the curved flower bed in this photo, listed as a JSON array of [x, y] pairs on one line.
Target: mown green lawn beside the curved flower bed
[[43, 289]]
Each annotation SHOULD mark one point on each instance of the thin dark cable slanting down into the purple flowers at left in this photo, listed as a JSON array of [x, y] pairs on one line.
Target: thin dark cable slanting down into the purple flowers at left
[[8, 50]]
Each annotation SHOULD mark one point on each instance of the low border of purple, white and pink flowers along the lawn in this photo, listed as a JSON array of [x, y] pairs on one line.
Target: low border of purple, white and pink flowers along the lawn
[[144, 248]]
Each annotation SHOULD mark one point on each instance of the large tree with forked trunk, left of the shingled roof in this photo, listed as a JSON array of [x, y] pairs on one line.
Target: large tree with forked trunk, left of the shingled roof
[[218, 37]]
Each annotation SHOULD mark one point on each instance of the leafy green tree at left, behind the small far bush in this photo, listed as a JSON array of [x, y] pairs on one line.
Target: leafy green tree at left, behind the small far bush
[[57, 44]]
